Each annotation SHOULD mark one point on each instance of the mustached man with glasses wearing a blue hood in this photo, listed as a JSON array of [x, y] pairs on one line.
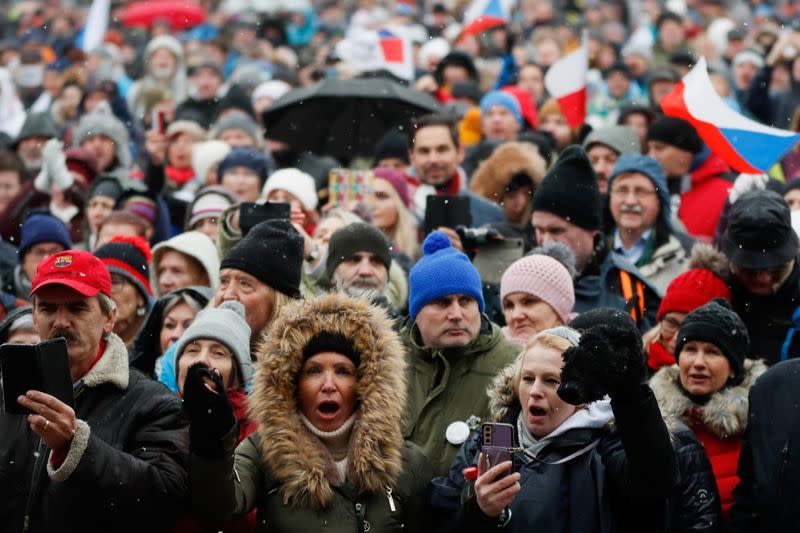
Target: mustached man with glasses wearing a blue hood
[[640, 208]]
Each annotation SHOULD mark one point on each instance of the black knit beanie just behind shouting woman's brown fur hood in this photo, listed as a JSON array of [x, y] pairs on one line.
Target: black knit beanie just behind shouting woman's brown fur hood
[[272, 252]]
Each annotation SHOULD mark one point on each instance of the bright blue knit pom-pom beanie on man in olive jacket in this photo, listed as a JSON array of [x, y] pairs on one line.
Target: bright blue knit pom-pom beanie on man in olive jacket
[[442, 271]]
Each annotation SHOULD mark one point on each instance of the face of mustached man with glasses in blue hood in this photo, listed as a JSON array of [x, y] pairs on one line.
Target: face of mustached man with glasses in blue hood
[[634, 203]]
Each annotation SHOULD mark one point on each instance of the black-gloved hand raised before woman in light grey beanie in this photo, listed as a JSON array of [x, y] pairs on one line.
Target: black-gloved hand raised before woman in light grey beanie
[[209, 411]]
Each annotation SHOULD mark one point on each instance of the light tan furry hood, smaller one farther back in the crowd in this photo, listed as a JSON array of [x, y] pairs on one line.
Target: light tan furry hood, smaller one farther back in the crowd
[[493, 175]]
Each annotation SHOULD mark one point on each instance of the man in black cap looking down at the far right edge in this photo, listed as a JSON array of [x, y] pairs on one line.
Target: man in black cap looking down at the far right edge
[[761, 246]]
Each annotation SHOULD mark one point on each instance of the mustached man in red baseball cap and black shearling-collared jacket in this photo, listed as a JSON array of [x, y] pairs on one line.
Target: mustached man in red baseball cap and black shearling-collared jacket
[[117, 462]]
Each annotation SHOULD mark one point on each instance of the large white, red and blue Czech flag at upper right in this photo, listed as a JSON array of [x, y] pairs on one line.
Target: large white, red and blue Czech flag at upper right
[[746, 145]]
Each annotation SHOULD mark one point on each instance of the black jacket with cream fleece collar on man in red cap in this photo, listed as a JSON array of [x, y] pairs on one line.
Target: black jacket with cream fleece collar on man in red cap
[[126, 469]]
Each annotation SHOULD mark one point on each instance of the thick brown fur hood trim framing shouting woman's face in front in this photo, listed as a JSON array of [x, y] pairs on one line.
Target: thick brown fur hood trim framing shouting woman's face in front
[[296, 459]]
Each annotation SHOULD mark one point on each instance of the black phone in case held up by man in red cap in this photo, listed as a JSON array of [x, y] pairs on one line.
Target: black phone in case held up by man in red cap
[[43, 367]]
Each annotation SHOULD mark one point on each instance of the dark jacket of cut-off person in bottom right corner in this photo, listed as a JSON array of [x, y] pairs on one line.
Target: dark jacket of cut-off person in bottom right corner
[[767, 498]]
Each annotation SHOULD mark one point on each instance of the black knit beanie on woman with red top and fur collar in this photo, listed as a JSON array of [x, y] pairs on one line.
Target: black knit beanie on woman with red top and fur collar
[[717, 323]]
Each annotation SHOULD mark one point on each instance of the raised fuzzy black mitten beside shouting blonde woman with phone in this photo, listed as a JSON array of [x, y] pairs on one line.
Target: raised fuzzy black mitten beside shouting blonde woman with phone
[[607, 360]]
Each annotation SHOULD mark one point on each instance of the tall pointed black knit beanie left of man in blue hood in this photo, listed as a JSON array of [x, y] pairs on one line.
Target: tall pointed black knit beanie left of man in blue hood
[[569, 190]]
